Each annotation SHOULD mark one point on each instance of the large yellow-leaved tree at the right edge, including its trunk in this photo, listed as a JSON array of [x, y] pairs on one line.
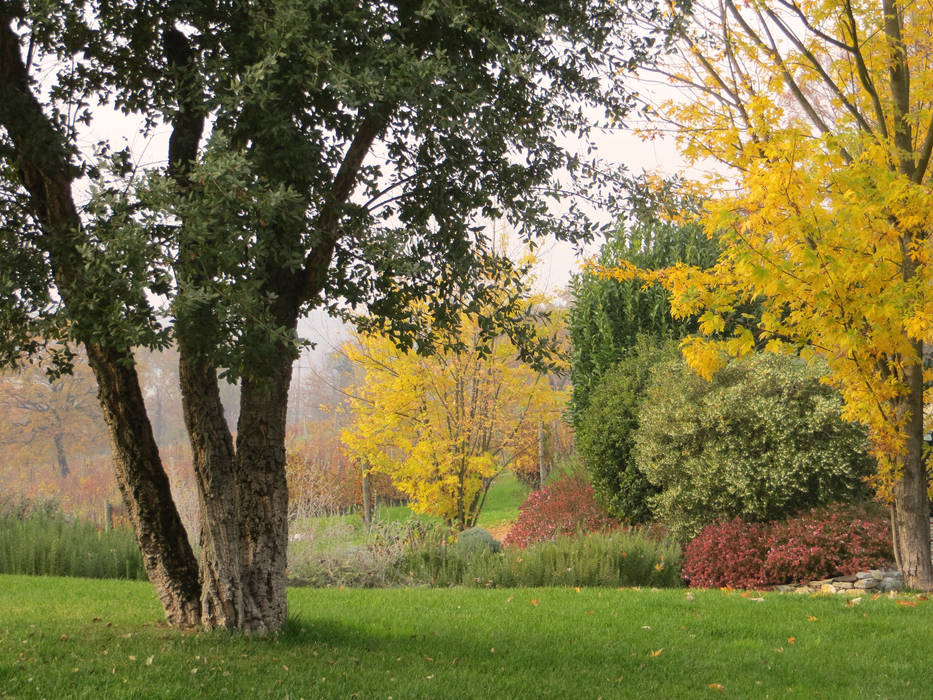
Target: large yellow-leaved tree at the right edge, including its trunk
[[820, 114]]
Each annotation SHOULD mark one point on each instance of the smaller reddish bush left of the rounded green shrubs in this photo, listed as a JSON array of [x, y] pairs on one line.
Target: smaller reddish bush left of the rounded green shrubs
[[564, 507]]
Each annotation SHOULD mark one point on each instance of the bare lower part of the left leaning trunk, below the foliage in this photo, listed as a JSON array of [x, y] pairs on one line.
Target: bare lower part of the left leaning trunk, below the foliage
[[162, 539]]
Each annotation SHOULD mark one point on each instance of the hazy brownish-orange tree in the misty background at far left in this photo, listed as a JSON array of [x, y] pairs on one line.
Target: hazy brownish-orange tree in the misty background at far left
[[46, 420]]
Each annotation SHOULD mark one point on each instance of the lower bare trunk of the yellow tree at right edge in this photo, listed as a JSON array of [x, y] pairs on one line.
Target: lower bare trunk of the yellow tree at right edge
[[911, 506]]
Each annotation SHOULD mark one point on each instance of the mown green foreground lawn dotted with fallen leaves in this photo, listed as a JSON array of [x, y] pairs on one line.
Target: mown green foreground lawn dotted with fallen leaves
[[69, 638]]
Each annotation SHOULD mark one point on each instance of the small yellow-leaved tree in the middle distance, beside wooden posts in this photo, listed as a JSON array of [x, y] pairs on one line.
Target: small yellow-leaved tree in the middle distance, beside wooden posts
[[444, 426]]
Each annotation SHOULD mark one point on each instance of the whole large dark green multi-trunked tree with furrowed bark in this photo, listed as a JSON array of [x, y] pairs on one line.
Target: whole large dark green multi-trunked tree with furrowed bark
[[320, 154]]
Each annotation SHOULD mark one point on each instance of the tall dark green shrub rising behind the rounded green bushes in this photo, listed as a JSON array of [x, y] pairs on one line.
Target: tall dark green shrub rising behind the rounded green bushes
[[609, 316]]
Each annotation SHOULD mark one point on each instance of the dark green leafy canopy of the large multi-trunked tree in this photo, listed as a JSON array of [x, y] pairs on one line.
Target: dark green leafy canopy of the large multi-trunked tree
[[466, 105]]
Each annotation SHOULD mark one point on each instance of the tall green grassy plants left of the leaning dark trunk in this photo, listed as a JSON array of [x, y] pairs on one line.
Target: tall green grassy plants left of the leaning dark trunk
[[40, 540]]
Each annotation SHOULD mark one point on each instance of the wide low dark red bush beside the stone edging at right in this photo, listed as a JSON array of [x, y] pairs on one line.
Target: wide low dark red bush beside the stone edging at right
[[824, 542]]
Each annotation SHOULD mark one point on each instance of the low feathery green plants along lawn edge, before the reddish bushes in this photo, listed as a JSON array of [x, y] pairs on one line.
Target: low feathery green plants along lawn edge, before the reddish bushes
[[622, 558]]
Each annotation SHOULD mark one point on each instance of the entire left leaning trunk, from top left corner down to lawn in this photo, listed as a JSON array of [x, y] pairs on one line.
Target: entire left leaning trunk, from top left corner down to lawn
[[46, 173]]
